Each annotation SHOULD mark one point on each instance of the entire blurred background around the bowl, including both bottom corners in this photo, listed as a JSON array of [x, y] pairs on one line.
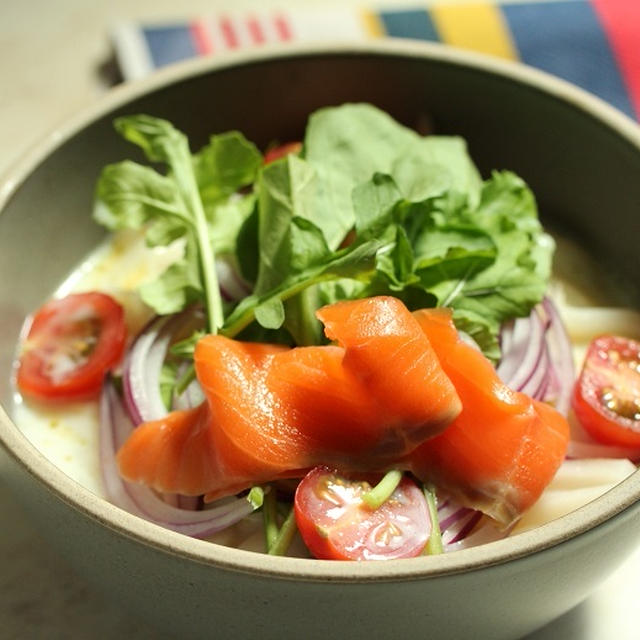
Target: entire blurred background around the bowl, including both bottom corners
[[58, 56]]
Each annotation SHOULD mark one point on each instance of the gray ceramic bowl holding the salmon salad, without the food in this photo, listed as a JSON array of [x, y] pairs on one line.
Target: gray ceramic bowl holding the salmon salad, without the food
[[582, 159]]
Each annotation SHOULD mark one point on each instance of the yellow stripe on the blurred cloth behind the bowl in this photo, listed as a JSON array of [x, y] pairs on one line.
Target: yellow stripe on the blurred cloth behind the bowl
[[476, 26]]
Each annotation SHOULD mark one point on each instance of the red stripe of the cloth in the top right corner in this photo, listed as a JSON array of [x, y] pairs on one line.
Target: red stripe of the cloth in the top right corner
[[621, 22]]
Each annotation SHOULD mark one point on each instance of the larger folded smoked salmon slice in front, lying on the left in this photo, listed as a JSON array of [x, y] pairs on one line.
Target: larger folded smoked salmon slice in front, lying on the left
[[272, 412]]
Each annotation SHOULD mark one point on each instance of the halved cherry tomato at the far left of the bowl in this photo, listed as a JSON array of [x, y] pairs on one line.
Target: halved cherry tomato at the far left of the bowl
[[71, 344]]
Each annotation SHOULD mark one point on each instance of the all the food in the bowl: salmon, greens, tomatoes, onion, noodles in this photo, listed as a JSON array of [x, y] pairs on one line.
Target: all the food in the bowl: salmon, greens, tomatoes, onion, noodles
[[346, 347]]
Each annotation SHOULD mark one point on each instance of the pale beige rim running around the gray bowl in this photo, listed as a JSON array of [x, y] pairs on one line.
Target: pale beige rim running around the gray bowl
[[614, 502]]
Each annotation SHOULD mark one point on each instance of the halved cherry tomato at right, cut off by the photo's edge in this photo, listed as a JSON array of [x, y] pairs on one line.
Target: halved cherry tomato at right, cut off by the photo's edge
[[606, 397]]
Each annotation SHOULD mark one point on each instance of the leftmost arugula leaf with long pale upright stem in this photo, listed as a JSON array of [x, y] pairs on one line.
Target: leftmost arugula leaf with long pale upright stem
[[192, 202]]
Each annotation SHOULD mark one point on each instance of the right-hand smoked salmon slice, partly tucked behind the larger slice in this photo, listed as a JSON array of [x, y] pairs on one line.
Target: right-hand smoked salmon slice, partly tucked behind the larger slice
[[503, 449]]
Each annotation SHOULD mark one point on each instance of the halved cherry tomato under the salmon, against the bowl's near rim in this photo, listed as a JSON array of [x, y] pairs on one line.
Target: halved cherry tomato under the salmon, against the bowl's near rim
[[336, 525]]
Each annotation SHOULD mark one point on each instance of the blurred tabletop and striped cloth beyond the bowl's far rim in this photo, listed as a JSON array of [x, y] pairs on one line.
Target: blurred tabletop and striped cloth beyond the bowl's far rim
[[57, 56]]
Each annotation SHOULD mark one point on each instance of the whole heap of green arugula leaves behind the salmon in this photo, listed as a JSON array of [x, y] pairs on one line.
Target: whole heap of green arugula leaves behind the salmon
[[368, 207]]
